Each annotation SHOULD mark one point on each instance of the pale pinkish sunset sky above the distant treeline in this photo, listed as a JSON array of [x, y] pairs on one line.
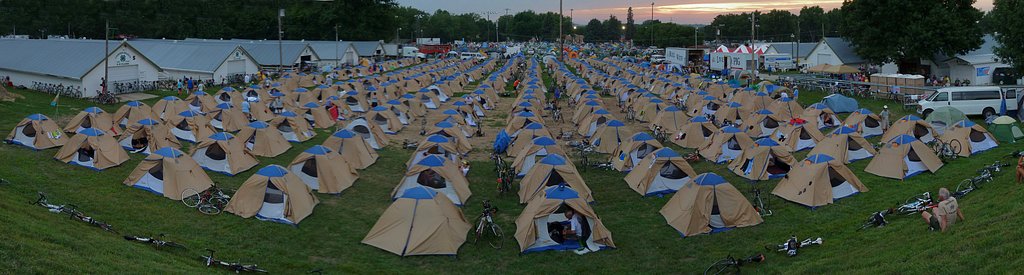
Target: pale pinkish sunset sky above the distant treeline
[[681, 12]]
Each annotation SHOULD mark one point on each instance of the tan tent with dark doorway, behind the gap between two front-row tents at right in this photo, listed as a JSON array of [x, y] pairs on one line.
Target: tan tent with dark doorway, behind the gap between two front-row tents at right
[[767, 160]]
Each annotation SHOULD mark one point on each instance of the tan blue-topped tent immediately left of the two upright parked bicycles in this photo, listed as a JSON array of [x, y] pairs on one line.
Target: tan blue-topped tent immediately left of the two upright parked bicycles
[[168, 172]]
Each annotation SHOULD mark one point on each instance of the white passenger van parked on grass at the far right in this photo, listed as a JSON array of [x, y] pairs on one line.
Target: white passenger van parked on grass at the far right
[[984, 101]]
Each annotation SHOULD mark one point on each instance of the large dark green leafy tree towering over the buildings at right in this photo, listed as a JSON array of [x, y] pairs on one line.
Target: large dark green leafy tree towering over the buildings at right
[[905, 31]]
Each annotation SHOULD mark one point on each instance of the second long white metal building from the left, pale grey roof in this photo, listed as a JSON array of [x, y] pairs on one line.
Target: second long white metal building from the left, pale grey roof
[[198, 61]]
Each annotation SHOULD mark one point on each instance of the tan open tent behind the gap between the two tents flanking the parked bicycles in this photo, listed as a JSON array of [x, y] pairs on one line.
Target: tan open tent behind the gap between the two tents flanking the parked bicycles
[[223, 153]]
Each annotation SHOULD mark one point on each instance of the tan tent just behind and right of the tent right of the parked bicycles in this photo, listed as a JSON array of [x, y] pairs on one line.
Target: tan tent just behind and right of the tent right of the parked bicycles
[[324, 170]]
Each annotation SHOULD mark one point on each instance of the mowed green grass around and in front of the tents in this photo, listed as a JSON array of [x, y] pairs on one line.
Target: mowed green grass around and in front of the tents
[[34, 241]]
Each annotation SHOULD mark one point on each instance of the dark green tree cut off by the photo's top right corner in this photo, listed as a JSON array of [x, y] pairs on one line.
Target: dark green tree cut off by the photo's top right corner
[[1007, 19]]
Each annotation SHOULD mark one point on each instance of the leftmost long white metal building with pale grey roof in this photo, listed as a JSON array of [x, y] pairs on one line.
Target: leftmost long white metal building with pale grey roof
[[73, 63]]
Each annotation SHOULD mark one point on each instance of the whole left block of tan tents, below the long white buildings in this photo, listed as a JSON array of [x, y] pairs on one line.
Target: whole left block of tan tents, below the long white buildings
[[225, 140]]
